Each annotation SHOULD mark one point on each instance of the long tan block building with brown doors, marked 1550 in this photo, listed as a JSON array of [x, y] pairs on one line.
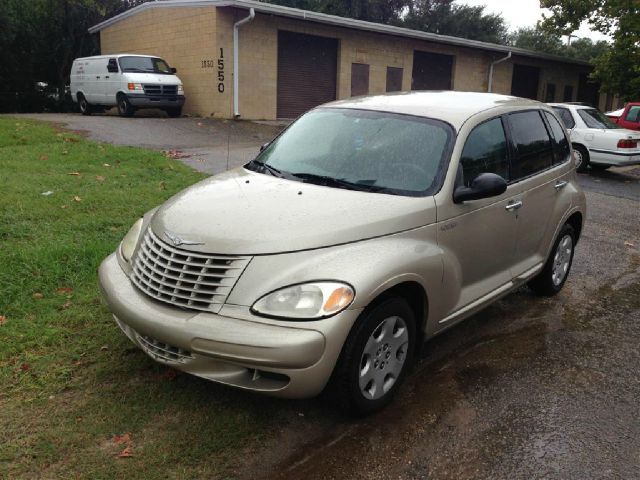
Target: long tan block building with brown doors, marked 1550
[[290, 60]]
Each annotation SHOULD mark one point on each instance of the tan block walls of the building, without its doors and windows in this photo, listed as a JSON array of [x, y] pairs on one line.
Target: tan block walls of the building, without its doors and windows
[[199, 42]]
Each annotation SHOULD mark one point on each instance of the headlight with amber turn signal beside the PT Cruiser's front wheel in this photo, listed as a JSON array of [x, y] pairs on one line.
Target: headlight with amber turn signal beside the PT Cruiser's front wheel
[[306, 301]]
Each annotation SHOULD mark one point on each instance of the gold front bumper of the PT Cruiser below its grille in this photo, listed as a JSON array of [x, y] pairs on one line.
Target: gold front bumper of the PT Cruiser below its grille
[[286, 359]]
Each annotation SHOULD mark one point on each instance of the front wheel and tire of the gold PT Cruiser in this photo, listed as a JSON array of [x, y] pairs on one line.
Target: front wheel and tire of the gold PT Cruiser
[[375, 358]]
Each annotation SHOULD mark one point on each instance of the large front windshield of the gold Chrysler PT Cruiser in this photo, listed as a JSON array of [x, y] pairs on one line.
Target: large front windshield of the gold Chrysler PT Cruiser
[[360, 150]]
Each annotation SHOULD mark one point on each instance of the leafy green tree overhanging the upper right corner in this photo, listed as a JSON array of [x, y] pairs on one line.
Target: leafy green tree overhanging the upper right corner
[[618, 68]]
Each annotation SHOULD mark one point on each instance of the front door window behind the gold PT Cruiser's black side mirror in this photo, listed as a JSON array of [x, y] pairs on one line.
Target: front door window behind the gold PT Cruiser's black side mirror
[[485, 151]]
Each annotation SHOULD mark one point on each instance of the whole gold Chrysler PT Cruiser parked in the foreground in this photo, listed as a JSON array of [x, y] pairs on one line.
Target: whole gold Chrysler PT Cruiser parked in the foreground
[[368, 226]]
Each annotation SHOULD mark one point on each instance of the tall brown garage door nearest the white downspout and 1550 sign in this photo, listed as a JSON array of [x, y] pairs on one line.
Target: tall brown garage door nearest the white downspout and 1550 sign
[[307, 70]]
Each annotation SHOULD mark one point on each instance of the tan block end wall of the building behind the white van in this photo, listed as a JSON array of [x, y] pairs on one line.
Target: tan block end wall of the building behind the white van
[[184, 37]]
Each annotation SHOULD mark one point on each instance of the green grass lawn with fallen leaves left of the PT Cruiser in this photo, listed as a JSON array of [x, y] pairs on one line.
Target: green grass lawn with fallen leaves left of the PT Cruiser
[[69, 380]]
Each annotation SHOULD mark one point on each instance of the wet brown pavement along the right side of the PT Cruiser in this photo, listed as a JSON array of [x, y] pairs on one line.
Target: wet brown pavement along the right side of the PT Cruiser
[[528, 388]]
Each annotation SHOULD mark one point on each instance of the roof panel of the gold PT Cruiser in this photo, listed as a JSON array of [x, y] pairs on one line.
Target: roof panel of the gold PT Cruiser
[[453, 107]]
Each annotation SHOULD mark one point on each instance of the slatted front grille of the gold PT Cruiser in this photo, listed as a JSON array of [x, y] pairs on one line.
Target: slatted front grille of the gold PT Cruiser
[[186, 279]]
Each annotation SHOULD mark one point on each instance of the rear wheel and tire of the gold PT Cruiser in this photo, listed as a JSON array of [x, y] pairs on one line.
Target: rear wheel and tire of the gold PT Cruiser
[[555, 272]]
